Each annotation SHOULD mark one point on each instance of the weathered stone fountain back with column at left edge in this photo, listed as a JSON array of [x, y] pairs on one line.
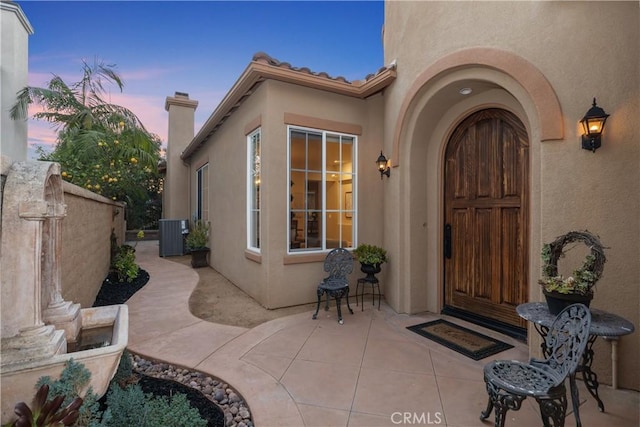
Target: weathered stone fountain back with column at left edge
[[25, 337]]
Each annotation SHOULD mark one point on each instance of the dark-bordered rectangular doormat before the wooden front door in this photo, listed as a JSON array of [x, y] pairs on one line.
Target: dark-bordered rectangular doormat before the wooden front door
[[458, 338]]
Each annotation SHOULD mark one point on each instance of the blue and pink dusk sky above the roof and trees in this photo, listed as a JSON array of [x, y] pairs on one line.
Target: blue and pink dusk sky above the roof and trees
[[198, 47]]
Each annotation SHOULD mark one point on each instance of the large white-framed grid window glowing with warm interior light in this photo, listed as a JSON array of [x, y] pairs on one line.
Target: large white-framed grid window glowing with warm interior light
[[322, 192]]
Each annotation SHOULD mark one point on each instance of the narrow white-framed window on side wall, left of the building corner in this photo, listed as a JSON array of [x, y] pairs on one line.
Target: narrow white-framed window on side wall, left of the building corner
[[253, 190]]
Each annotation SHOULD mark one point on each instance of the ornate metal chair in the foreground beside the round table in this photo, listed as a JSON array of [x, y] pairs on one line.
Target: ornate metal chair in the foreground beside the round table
[[509, 382]]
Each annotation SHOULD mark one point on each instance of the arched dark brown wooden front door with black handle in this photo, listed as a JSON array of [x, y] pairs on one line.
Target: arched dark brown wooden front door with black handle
[[486, 217]]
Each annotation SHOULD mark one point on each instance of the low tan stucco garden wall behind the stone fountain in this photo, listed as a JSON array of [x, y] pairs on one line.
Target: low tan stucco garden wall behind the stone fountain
[[86, 243]]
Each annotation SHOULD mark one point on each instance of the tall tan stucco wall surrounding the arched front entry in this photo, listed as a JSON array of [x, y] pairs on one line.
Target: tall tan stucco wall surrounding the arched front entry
[[583, 50]]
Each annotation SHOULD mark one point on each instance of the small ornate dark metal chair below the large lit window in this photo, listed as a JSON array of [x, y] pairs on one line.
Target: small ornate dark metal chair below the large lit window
[[338, 263]]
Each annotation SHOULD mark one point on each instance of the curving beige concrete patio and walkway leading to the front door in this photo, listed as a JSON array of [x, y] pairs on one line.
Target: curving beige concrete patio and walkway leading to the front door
[[371, 371]]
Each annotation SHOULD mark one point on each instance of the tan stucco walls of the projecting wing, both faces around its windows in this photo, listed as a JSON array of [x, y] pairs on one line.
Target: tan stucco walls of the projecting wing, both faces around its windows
[[274, 278]]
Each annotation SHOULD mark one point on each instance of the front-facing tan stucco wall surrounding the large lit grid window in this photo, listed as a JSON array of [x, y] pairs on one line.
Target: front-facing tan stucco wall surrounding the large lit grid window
[[293, 284]]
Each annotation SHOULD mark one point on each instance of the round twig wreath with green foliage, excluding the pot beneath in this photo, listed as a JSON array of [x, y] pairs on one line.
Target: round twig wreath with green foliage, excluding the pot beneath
[[584, 278]]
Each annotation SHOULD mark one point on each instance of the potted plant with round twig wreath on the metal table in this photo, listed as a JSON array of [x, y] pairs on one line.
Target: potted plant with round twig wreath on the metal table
[[577, 288]]
